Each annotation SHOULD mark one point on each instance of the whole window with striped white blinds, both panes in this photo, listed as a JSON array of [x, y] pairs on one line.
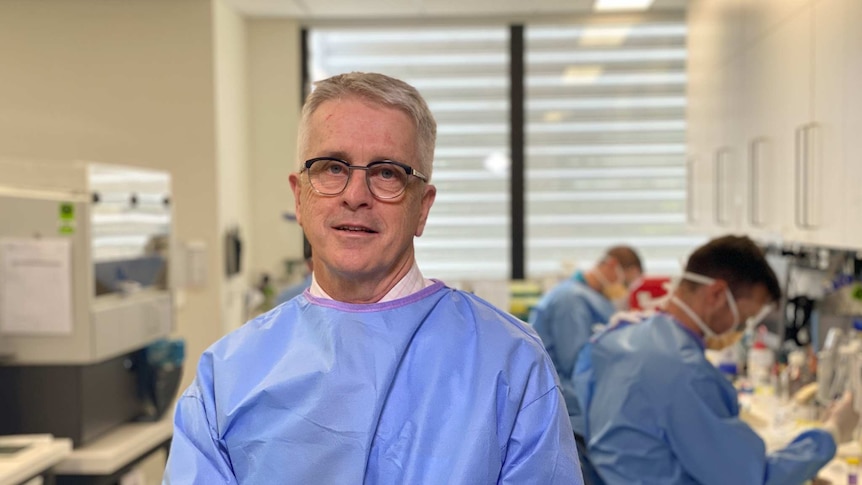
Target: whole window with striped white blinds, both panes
[[605, 139]]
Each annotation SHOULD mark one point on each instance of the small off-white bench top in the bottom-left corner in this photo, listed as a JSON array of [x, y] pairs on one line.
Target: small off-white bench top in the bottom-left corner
[[26, 457]]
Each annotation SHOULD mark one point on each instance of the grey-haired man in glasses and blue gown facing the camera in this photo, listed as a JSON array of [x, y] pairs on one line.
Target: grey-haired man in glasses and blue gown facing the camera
[[376, 374]]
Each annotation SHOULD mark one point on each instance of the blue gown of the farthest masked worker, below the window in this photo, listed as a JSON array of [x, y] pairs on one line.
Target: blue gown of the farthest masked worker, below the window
[[564, 319]]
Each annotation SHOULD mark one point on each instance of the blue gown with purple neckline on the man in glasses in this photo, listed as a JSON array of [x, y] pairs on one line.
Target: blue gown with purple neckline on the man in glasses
[[438, 387]]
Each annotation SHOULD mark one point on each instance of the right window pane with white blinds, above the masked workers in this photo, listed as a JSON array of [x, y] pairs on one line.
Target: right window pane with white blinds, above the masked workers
[[605, 149]]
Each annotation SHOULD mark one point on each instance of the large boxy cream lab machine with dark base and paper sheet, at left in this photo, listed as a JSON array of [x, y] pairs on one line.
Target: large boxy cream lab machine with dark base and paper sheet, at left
[[84, 284]]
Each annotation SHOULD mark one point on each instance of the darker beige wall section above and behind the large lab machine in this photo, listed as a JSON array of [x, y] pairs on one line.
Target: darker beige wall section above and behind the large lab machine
[[127, 82]]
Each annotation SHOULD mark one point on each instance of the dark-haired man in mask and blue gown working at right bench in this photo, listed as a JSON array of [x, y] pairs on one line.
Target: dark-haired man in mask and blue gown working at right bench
[[657, 412]]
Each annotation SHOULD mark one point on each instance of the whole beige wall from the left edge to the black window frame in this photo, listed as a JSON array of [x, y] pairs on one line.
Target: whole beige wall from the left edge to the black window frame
[[185, 86]]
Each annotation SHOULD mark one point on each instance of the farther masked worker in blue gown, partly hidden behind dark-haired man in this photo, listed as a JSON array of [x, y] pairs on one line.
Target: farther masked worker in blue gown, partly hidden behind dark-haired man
[[565, 317]]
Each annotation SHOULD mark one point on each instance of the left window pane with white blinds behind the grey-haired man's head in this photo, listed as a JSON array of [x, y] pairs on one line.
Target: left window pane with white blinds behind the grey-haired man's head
[[463, 74]]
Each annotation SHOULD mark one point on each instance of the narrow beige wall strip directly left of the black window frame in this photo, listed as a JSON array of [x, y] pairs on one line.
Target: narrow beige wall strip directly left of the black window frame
[[274, 101]]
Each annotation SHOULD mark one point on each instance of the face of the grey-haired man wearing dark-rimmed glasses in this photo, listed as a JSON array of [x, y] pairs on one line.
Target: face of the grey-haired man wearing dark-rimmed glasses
[[359, 240]]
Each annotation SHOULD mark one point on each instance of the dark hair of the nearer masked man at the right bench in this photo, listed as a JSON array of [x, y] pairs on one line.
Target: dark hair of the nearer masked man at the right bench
[[736, 260]]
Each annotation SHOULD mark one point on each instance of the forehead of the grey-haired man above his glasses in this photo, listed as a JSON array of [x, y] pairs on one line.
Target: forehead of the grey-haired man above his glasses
[[357, 127]]
